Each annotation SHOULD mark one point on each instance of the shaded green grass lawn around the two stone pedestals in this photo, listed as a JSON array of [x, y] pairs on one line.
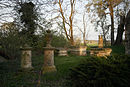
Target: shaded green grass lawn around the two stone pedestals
[[12, 76]]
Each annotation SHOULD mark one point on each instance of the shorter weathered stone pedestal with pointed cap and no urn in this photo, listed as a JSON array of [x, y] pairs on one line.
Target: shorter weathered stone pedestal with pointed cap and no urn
[[26, 62]]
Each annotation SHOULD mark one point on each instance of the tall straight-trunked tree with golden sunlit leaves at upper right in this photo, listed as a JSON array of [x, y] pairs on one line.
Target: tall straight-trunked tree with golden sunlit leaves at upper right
[[100, 8]]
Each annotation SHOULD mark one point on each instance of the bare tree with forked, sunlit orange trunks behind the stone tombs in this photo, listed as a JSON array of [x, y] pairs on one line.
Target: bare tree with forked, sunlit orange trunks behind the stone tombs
[[66, 16]]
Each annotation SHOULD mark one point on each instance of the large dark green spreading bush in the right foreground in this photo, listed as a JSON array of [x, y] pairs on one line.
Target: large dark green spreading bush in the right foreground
[[100, 72]]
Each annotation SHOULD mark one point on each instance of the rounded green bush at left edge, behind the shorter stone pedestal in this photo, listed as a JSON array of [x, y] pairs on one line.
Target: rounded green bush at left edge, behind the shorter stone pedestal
[[10, 42]]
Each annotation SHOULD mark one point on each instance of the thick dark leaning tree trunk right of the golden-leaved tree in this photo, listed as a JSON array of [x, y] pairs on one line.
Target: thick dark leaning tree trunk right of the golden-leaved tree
[[120, 31]]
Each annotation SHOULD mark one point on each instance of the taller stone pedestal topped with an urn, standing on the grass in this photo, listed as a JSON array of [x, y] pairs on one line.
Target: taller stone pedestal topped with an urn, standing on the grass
[[48, 65]]
